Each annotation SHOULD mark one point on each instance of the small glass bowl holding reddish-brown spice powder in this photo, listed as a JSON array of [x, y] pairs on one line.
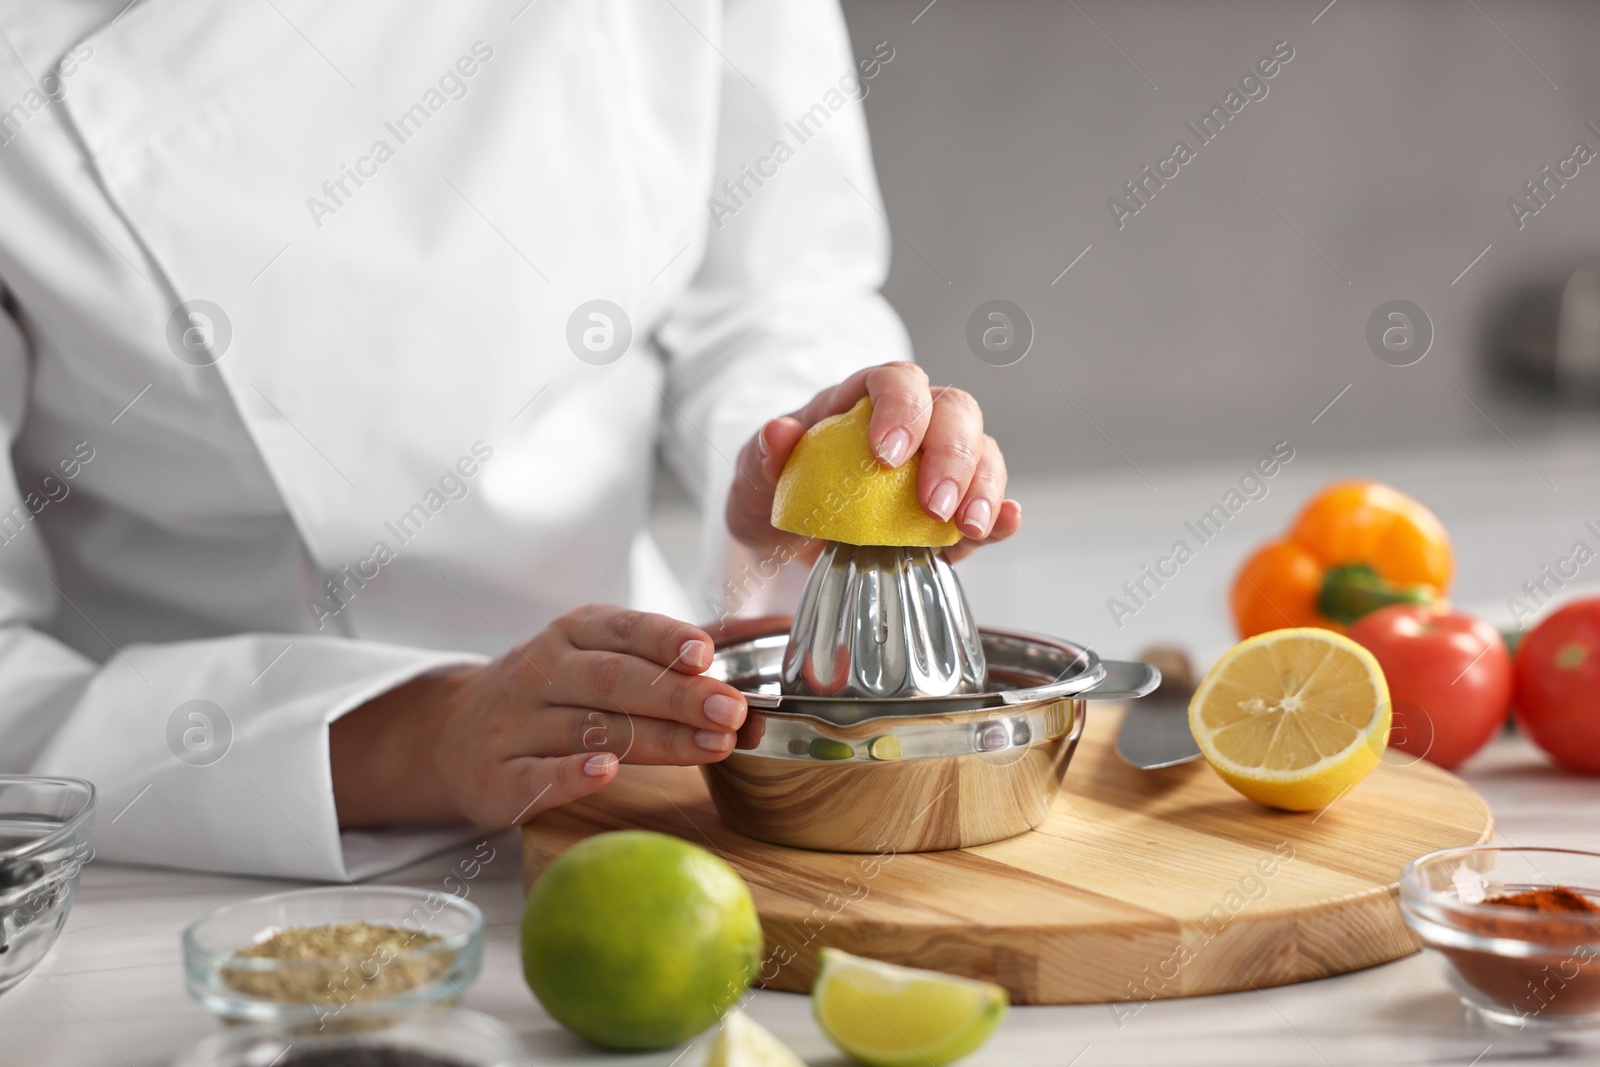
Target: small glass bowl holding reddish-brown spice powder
[[1518, 929]]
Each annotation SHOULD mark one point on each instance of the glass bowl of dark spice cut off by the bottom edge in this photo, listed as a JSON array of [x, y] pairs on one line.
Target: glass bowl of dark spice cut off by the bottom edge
[[458, 1039]]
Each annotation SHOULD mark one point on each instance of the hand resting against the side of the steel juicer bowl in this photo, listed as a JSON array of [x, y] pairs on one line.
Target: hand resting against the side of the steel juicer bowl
[[538, 727]]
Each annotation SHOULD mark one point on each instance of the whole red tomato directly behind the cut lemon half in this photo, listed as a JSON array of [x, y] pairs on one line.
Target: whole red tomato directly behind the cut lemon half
[[1450, 679]]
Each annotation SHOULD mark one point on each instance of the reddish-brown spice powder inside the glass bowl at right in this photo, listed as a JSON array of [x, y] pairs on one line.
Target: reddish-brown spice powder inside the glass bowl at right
[[1561, 983]]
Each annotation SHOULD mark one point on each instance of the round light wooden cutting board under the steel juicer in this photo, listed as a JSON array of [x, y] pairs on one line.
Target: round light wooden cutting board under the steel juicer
[[1140, 885]]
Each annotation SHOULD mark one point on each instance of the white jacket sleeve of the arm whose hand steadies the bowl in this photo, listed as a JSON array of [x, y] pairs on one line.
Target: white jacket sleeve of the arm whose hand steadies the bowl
[[207, 754]]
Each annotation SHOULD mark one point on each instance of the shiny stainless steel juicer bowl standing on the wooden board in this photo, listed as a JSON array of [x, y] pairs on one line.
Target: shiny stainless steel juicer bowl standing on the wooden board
[[916, 773]]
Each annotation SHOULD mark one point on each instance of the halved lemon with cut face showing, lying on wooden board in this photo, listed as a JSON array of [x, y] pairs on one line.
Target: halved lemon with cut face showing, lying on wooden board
[[1294, 719]]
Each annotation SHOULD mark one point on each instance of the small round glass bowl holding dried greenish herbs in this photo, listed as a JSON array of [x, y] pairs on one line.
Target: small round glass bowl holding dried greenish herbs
[[338, 993]]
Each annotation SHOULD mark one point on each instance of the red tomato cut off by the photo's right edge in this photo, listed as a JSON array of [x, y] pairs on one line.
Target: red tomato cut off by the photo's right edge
[[1559, 685]]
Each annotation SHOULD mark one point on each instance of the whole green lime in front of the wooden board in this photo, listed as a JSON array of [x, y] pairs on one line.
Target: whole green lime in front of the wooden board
[[638, 940]]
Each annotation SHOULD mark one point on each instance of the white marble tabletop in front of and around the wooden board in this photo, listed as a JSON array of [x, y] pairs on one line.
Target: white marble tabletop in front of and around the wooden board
[[111, 993]]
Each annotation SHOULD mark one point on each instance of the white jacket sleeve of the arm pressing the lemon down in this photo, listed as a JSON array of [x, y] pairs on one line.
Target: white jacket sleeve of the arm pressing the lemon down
[[786, 298]]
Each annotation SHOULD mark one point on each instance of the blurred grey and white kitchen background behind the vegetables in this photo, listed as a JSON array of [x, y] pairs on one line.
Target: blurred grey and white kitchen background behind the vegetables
[[1233, 310]]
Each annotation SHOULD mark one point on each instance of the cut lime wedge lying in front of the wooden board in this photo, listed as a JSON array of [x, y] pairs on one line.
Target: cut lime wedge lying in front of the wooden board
[[900, 1017]]
